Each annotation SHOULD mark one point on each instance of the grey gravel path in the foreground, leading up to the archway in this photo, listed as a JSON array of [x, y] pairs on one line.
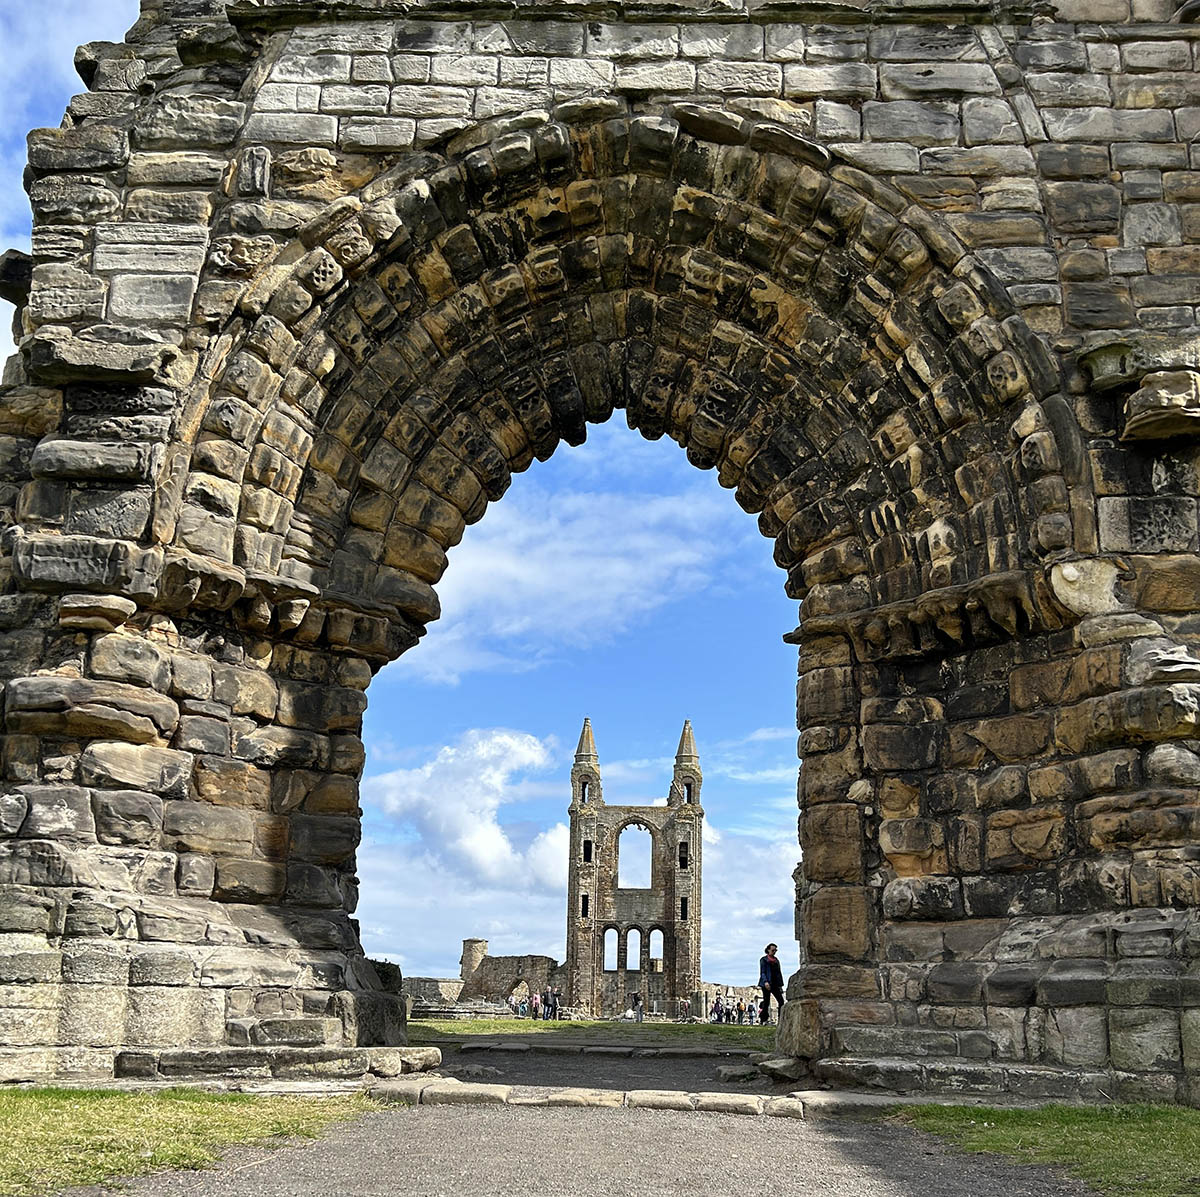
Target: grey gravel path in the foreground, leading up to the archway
[[497, 1152]]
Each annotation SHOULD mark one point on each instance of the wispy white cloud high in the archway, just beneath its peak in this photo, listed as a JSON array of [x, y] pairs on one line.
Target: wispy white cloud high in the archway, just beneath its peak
[[557, 569]]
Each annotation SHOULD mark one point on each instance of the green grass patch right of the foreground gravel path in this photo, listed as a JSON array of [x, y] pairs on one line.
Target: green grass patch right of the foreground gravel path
[[1127, 1151]]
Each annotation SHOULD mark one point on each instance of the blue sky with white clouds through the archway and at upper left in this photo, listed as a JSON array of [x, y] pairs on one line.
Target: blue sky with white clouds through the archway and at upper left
[[615, 581]]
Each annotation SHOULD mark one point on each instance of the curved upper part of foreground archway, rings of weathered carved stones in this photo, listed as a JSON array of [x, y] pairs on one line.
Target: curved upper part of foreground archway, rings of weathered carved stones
[[536, 228]]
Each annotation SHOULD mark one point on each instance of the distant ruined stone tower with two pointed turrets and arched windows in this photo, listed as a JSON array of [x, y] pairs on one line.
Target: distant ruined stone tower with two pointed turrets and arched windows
[[657, 930]]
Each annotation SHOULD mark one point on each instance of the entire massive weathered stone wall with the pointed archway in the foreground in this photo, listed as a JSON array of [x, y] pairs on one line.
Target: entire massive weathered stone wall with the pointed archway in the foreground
[[296, 318]]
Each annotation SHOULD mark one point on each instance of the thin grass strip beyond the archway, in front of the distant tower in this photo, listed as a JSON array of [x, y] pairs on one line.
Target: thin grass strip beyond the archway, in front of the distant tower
[[649, 1034]]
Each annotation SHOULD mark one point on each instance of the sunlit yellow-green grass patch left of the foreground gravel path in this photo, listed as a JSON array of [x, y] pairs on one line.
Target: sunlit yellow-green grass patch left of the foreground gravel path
[[59, 1138]]
